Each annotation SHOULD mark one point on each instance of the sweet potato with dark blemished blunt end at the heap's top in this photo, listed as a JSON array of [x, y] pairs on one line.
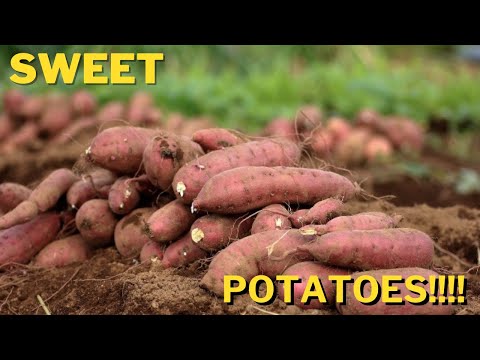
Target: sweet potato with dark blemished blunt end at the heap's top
[[165, 154]]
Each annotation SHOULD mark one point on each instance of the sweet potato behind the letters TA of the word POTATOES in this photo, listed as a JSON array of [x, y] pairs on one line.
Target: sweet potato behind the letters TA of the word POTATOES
[[304, 271]]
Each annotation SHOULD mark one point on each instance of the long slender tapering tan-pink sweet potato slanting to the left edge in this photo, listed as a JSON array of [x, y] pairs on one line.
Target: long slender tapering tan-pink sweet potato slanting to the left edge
[[44, 197]]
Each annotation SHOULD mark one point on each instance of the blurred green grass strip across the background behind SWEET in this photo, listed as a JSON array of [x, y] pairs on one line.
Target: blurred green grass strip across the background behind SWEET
[[245, 86]]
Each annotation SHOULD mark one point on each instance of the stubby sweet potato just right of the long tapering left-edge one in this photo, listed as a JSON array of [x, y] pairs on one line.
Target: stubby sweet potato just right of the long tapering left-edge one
[[94, 185]]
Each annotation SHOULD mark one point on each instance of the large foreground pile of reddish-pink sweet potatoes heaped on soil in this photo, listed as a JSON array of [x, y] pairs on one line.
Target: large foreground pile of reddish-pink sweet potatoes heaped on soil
[[177, 196]]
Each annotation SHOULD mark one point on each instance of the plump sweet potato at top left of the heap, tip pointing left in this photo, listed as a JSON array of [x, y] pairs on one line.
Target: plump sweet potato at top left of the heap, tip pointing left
[[120, 149]]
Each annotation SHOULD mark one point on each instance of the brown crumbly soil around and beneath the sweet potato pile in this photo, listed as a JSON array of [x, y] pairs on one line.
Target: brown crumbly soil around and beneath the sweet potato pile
[[110, 284]]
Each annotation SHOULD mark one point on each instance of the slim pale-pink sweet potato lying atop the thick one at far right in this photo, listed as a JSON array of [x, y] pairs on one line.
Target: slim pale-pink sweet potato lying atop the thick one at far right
[[362, 221]]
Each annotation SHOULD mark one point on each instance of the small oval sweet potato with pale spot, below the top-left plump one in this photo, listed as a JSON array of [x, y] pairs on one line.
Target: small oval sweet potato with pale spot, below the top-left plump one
[[123, 196]]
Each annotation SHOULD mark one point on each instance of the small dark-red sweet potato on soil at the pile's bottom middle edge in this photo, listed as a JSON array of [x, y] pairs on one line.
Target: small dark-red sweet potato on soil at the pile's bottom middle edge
[[182, 252]]
